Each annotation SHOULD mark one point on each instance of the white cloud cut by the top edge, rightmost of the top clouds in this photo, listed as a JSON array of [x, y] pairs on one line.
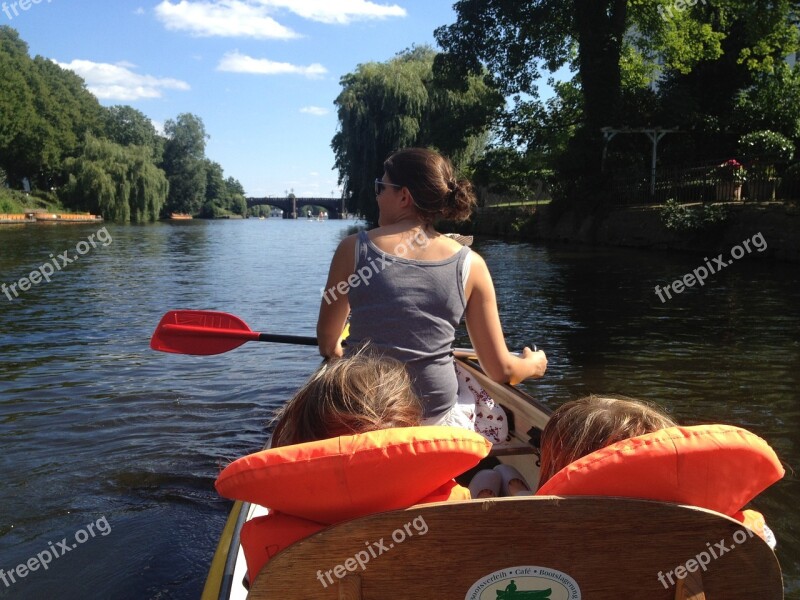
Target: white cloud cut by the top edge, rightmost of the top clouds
[[340, 12]]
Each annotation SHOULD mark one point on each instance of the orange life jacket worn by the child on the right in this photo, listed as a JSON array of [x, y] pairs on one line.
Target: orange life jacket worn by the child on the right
[[719, 467]]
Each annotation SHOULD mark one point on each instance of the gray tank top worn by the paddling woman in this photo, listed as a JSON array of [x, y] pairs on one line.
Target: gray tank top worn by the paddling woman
[[409, 310]]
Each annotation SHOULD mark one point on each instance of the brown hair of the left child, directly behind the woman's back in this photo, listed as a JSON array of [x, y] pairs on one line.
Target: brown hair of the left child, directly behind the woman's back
[[360, 393]]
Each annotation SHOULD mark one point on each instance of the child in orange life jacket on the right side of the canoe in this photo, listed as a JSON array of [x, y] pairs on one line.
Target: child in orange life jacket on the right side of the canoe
[[656, 467]]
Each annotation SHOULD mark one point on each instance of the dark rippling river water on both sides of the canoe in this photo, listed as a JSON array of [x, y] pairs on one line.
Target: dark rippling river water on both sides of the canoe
[[110, 450]]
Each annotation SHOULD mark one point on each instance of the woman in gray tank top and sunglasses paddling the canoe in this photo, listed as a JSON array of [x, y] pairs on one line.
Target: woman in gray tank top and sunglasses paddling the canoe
[[407, 287]]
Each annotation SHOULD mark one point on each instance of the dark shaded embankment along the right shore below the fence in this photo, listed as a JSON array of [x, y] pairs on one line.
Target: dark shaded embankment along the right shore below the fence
[[644, 227]]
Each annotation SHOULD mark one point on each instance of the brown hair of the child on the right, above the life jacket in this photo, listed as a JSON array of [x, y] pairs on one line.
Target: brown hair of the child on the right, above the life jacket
[[580, 427]]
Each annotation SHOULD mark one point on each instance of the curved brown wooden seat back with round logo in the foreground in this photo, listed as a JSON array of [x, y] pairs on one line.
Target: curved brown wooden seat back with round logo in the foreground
[[506, 548]]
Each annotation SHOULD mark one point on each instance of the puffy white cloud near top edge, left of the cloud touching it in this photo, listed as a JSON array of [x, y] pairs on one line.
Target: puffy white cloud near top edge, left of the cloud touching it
[[223, 18]]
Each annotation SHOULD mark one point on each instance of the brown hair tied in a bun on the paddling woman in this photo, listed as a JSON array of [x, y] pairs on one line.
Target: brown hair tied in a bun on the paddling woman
[[430, 178]]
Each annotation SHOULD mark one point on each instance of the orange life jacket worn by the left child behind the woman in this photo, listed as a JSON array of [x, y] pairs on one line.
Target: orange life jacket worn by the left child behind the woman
[[309, 486]]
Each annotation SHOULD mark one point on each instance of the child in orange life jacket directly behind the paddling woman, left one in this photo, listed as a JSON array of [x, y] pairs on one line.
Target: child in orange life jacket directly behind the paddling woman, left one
[[316, 473]]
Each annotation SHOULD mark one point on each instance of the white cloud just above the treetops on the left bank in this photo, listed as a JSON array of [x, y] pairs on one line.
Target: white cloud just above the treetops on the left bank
[[119, 82]]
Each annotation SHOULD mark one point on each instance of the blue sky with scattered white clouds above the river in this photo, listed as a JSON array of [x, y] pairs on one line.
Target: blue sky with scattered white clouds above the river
[[262, 74]]
